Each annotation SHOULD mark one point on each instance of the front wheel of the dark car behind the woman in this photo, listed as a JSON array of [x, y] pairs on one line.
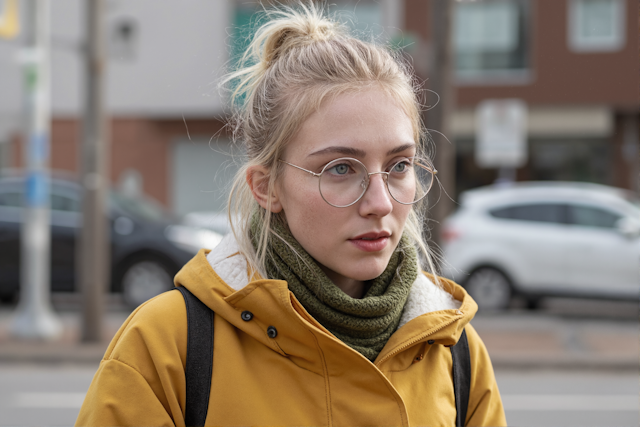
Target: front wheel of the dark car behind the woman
[[143, 280]]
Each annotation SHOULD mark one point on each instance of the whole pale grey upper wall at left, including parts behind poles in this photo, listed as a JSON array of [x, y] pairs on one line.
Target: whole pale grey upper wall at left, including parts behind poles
[[179, 52]]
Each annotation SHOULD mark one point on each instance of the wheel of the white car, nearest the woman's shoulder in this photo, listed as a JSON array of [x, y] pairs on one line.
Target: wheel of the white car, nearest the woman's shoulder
[[490, 289]]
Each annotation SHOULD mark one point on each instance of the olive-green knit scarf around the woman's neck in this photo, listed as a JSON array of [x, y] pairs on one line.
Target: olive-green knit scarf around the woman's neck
[[363, 324]]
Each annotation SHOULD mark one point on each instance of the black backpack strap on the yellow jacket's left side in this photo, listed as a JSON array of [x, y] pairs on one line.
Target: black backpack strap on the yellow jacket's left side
[[199, 359]]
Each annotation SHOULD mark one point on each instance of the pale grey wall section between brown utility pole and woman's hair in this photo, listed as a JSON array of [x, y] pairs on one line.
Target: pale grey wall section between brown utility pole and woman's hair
[[181, 52]]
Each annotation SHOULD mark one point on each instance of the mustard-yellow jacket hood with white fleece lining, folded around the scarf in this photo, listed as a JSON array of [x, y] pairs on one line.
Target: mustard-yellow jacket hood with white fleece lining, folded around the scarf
[[219, 278]]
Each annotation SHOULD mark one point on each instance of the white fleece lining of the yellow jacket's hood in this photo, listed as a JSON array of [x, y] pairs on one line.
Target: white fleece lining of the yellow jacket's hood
[[424, 297]]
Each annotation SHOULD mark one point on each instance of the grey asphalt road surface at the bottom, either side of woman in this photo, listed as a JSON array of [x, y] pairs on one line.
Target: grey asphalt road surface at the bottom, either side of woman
[[51, 396]]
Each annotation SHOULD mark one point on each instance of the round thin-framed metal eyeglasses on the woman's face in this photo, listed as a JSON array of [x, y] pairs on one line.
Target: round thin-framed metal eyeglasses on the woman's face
[[342, 182]]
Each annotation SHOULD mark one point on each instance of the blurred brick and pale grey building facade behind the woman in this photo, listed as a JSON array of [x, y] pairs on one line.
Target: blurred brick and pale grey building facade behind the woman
[[573, 62]]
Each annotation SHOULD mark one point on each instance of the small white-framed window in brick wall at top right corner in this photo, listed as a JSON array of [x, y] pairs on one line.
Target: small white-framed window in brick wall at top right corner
[[596, 25]]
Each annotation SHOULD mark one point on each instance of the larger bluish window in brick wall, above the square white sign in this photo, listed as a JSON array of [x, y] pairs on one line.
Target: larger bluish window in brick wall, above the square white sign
[[491, 38]]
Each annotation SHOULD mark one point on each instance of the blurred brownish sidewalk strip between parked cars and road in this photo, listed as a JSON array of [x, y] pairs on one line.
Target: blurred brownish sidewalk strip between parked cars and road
[[515, 340]]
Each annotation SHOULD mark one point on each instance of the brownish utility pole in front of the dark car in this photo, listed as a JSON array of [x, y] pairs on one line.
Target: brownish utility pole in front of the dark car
[[94, 249]]
